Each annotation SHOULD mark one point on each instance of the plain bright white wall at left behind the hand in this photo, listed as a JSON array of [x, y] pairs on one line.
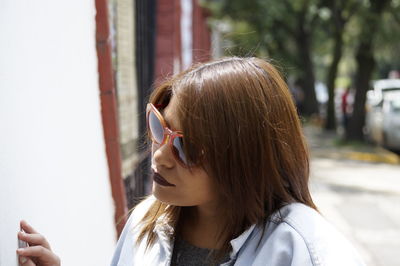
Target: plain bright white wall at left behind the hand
[[53, 168]]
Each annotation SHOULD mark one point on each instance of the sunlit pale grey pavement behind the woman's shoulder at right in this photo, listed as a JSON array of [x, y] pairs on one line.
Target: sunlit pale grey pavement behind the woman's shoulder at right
[[362, 199]]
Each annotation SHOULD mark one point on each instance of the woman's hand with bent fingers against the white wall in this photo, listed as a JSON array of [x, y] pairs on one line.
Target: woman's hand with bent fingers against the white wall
[[38, 252]]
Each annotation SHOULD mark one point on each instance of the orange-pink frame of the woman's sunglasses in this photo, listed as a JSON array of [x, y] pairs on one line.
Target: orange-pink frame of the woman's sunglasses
[[168, 134]]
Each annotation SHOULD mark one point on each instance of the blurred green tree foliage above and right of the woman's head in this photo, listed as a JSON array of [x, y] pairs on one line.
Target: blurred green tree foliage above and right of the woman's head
[[270, 28]]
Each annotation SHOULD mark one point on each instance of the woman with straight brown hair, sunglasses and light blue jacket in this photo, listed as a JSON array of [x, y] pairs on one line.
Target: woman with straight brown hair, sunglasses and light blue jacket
[[230, 169]]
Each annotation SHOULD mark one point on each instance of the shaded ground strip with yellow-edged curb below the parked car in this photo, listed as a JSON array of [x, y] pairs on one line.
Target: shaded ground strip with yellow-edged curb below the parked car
[[324, 144]]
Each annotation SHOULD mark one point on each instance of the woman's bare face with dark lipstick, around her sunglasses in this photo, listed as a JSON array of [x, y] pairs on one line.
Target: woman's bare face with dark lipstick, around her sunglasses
[[186, 187]]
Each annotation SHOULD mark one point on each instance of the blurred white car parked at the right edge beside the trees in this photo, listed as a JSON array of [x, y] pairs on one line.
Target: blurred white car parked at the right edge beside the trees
[[382, 124]]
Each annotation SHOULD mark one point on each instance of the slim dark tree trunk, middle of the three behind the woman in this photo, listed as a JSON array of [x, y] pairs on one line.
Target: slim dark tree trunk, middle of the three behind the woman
[[330, 123]]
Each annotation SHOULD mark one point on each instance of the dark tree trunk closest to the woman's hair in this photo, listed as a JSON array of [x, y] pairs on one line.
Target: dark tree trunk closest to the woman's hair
[[308, 80]]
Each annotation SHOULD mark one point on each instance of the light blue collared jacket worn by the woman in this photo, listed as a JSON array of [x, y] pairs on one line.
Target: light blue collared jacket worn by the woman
[[296, 235]]
